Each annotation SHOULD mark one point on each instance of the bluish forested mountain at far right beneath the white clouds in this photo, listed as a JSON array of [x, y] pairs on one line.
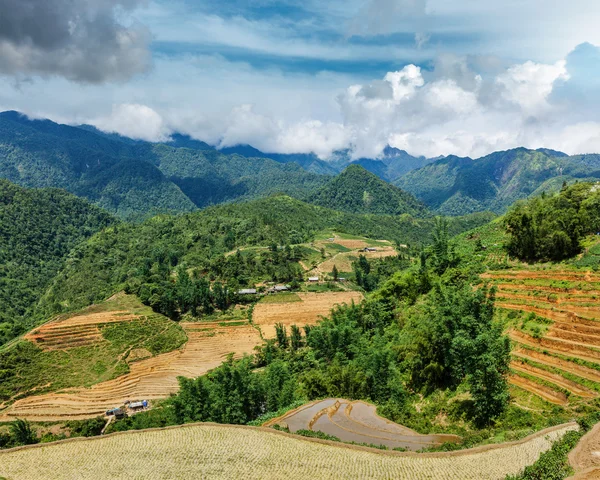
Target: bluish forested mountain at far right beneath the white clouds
[[456, 186]]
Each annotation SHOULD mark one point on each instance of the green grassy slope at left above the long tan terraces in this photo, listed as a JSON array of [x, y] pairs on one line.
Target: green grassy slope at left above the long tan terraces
[[26, 369]]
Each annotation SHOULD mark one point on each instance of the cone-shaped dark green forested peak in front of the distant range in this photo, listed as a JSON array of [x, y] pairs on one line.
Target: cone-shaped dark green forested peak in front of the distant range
[[358, 191]]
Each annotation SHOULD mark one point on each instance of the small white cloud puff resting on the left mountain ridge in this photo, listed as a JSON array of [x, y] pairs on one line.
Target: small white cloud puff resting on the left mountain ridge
[[134, 121]]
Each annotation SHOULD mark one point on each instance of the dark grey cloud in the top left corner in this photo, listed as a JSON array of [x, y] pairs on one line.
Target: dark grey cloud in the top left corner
[[81, 40]]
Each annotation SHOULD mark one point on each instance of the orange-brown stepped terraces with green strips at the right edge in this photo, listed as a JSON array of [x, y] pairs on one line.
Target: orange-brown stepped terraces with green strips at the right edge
[[561, 362]]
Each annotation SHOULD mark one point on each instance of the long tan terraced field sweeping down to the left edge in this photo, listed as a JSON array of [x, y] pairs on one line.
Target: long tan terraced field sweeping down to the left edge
[[151, 378]]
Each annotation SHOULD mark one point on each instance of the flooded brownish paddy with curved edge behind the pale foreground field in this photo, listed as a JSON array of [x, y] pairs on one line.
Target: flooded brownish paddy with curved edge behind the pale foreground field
[[356, 422]]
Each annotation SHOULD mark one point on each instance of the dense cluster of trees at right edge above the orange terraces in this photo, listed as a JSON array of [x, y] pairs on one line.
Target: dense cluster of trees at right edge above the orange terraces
[[550, 227]]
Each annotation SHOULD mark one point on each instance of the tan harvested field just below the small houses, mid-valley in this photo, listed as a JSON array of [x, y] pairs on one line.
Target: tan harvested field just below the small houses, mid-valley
[[308, 312]]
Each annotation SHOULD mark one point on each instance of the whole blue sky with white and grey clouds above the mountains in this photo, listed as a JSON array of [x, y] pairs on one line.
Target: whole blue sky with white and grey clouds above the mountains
[[432, 77]]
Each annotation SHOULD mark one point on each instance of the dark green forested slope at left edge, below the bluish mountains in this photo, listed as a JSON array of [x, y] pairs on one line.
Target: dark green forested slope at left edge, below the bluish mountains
[[38, 228]]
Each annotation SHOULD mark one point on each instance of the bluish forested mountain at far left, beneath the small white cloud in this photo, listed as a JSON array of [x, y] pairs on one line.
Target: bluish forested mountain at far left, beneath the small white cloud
[[113, 174]]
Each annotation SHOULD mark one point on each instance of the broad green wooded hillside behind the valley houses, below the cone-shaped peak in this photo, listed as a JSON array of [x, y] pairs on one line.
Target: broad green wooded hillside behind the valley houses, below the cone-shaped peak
[[141, 258]]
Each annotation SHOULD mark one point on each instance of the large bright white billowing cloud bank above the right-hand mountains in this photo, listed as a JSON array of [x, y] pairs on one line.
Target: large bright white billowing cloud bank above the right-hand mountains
[[453, 110]]
